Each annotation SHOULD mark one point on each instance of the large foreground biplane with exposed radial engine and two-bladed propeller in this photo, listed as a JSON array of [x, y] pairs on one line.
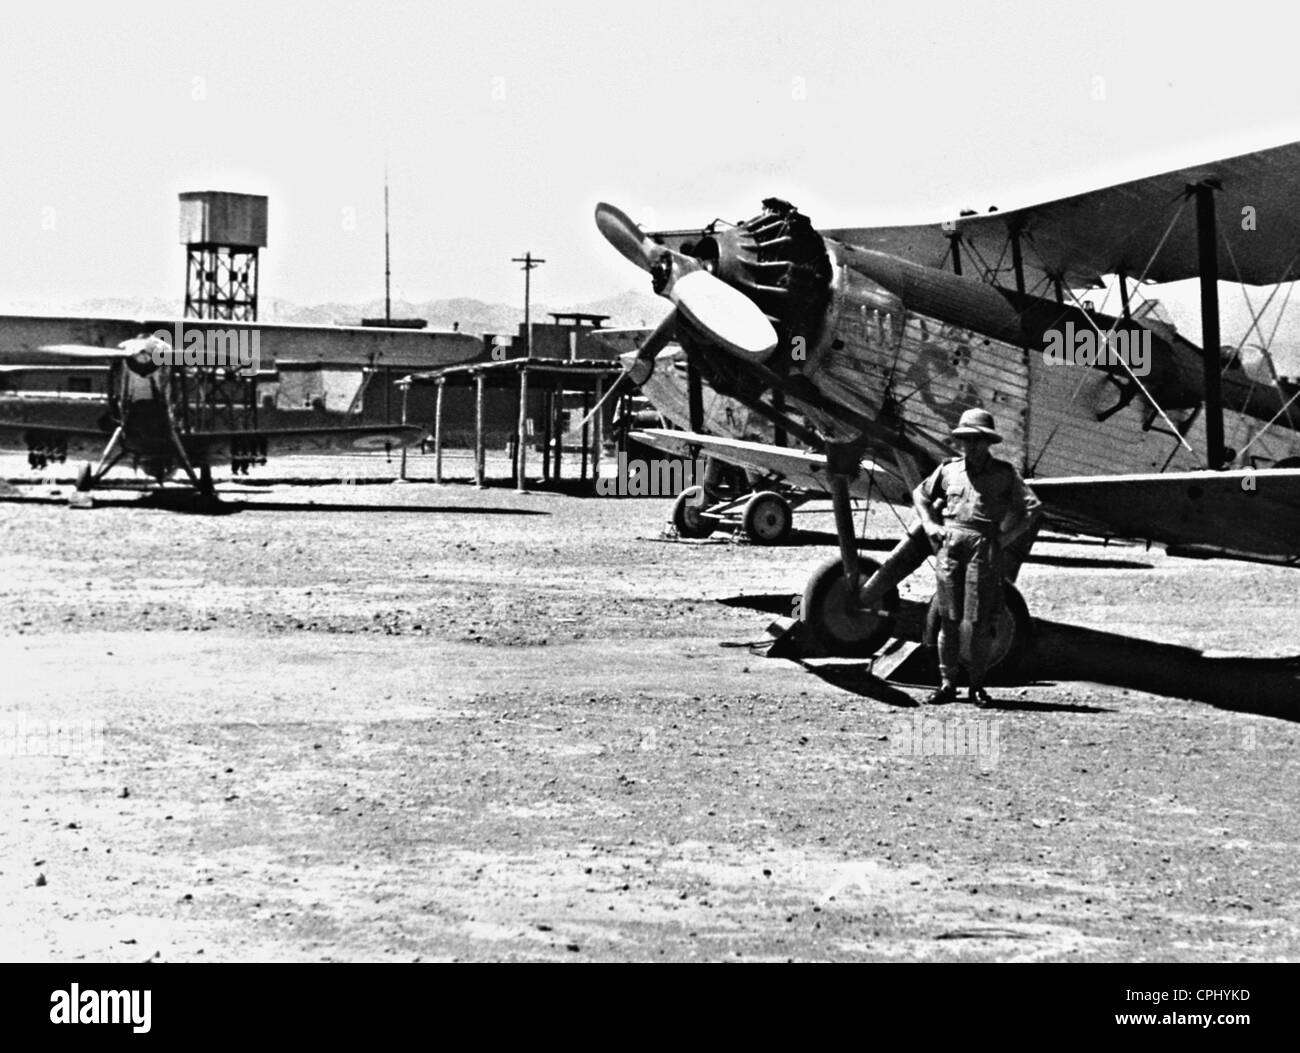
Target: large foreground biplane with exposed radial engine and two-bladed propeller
[[866, 346]]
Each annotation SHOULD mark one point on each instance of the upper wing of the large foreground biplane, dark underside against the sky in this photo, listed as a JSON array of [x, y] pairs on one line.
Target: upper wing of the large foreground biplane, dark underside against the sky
[[1121, 228]]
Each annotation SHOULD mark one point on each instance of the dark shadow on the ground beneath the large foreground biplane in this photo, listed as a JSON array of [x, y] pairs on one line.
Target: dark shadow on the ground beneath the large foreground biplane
[[1269, 687]]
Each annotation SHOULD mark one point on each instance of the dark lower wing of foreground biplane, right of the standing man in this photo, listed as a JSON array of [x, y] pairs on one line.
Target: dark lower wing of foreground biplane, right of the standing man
[[1237, 515]]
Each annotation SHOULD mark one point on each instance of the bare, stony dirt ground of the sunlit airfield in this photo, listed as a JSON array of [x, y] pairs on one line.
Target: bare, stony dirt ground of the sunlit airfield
[[414, 722]]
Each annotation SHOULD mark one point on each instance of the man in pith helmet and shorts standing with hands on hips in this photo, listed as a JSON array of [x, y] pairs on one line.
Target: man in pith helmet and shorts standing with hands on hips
[[985, 506]]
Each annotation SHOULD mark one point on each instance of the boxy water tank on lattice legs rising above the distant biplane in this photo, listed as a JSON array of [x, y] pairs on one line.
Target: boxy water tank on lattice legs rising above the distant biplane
[[223, 233]]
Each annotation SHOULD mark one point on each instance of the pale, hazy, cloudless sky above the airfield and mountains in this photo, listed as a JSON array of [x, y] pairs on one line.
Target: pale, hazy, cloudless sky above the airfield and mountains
[[504, 124]]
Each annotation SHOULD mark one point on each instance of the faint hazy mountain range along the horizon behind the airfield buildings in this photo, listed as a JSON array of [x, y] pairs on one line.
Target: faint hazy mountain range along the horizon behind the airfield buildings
[[627, 310]]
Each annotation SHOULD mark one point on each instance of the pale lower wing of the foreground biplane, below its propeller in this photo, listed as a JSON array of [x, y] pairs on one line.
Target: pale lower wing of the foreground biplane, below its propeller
[[796, 469]]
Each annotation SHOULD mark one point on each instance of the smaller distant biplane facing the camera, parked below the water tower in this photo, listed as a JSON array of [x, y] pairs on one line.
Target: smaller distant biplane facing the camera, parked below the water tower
[[163, 415]]
